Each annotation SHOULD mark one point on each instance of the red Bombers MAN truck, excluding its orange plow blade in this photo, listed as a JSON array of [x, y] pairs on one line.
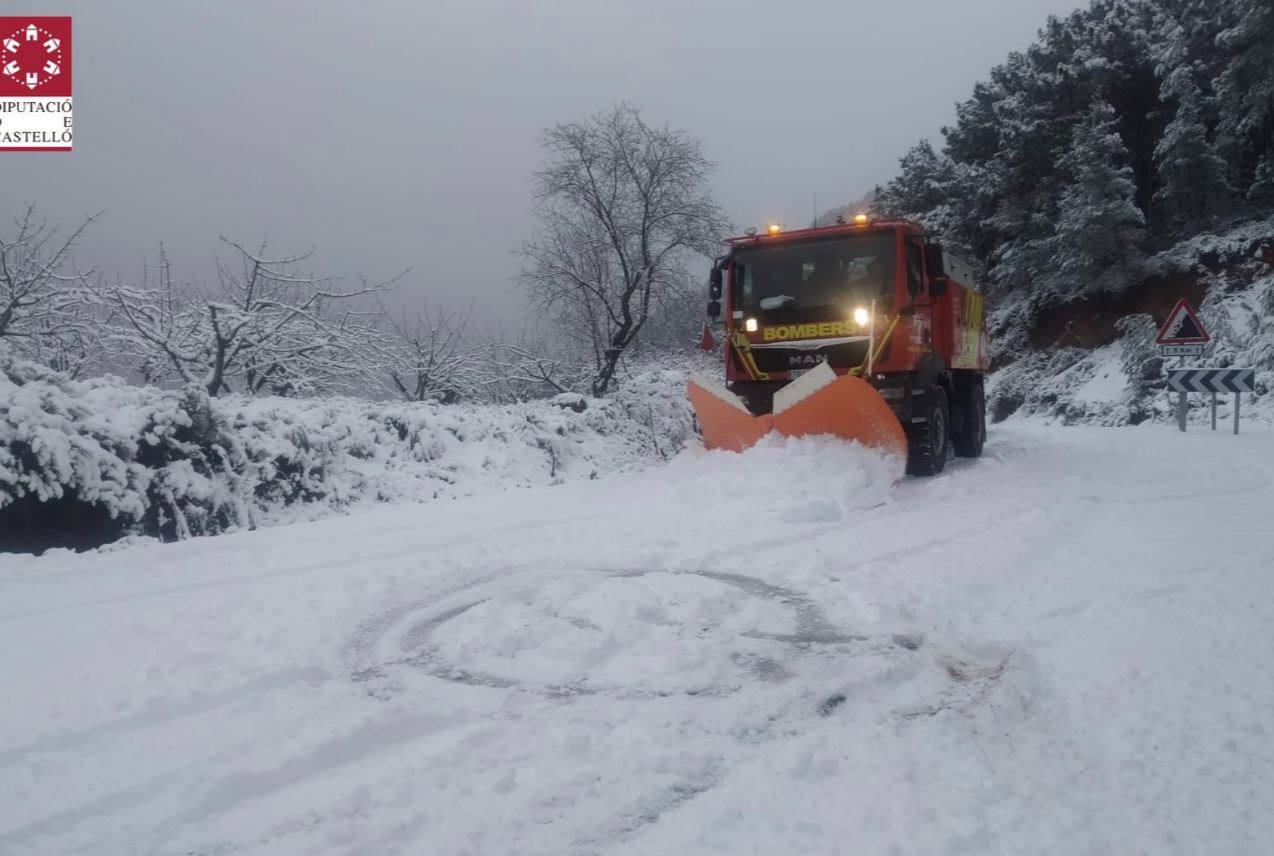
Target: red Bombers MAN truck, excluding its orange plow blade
[[876, 299]]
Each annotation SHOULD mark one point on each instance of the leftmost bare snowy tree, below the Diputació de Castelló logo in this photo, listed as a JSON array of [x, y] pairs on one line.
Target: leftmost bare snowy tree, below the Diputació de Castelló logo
[[48, 313]]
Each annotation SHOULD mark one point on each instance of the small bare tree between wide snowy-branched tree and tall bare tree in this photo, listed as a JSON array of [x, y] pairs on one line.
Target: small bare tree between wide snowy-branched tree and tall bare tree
[[427, 353]]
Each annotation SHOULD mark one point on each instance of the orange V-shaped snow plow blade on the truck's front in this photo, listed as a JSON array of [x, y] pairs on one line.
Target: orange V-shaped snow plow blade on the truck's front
[[817, 403]]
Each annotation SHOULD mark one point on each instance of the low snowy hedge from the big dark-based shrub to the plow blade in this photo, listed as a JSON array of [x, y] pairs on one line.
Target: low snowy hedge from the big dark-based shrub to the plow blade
[[333, 453]]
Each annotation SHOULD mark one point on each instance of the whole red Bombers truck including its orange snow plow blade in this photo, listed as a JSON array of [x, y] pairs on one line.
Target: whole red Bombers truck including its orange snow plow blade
[[864, 331]]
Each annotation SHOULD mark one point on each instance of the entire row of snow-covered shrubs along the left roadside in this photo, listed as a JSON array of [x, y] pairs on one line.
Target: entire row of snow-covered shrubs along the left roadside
[[100, 459]]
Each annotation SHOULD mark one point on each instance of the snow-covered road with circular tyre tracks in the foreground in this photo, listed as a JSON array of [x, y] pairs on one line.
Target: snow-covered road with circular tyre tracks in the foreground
[[1061, 649]]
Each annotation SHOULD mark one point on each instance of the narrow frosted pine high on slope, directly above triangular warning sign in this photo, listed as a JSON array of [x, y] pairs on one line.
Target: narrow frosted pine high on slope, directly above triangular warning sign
[[1194, 187]]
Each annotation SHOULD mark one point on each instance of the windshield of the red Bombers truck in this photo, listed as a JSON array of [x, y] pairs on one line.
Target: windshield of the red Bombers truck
[[815, 281]]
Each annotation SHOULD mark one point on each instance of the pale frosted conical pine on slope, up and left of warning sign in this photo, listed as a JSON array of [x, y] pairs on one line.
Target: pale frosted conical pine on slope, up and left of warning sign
[[1100, 229]]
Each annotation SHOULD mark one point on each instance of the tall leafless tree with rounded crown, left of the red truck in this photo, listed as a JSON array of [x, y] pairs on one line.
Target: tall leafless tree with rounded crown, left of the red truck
[[622, 208]]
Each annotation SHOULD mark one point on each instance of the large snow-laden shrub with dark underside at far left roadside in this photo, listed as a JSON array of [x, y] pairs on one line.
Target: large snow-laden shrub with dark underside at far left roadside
[[128, 458]]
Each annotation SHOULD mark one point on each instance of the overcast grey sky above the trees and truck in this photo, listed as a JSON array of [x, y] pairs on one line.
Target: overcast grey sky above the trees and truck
[[403, 134]]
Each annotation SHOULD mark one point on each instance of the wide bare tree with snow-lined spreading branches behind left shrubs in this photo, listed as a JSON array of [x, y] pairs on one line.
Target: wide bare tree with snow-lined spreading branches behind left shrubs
[[267, 327]]
